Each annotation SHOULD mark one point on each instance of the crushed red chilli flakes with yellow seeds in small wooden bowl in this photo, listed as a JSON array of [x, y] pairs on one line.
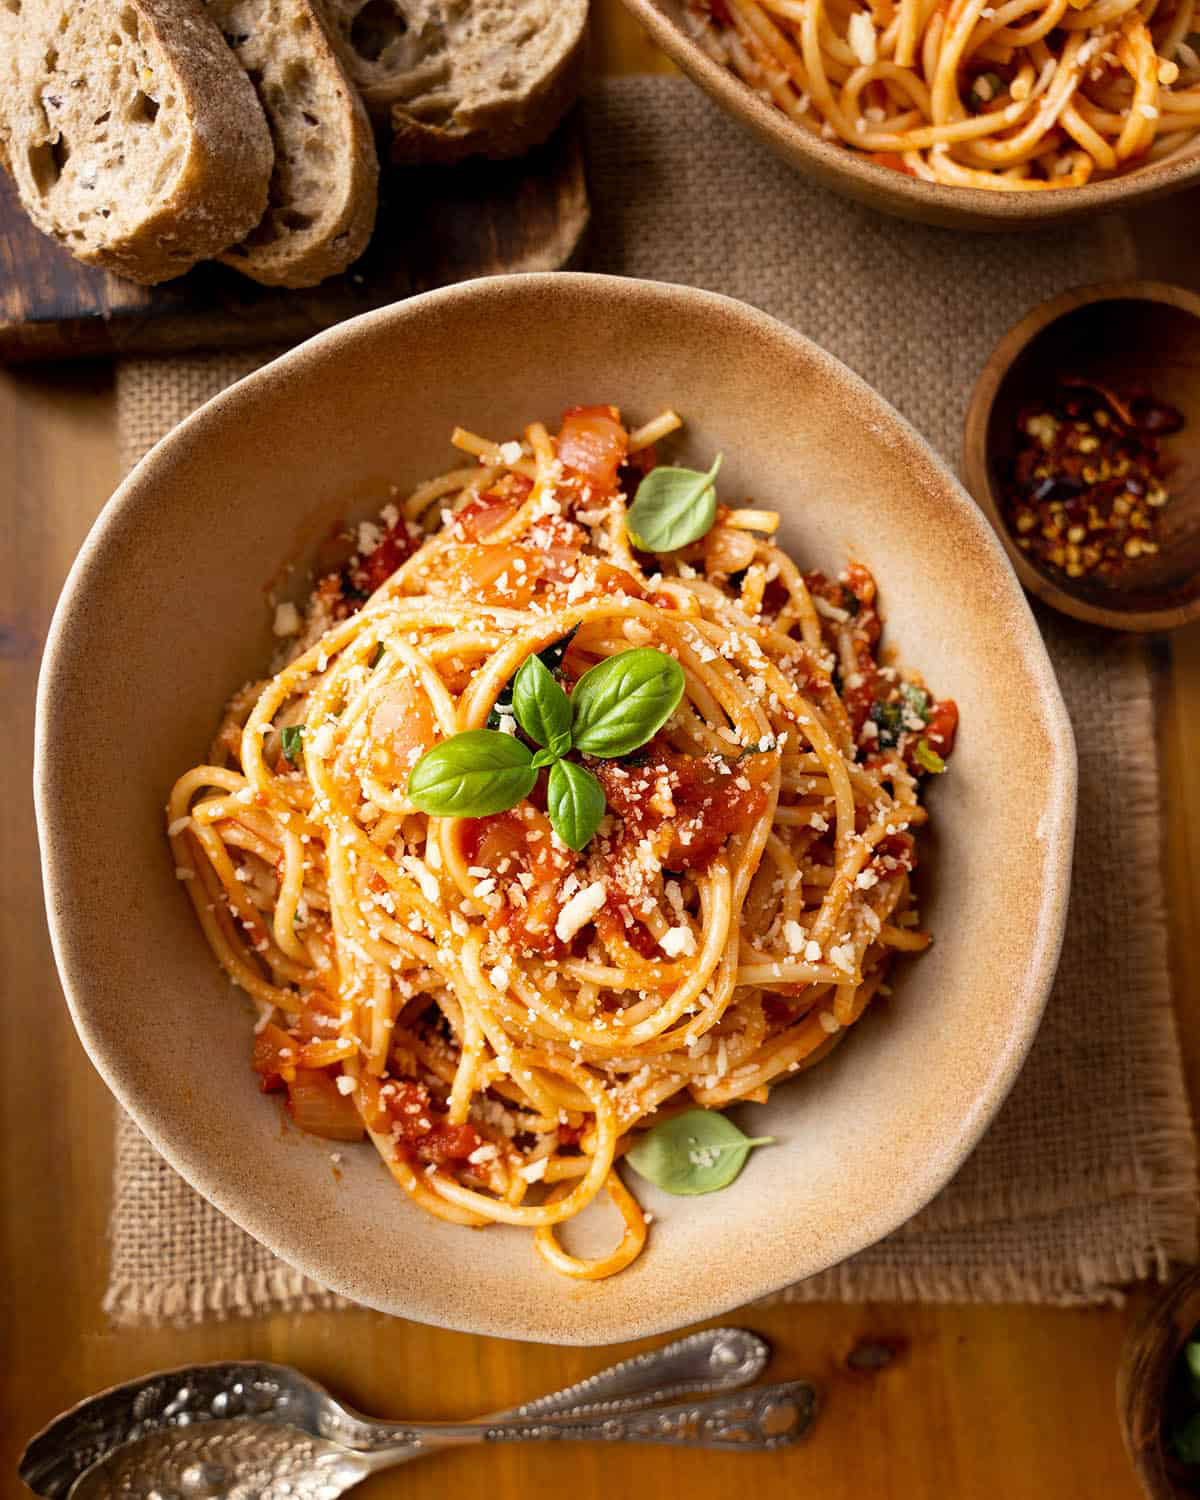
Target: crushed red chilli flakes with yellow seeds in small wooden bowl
[[1087, 484]]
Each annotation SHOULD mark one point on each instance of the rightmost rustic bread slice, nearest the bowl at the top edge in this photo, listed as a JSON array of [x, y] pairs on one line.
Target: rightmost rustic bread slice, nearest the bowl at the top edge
[[463, 77]]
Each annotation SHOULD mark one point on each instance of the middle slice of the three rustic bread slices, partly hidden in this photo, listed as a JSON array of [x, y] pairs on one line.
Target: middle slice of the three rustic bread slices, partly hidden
[[323, 191]]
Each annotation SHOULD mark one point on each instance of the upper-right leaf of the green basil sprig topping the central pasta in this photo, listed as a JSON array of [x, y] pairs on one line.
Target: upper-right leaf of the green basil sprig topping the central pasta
[[622, 703]]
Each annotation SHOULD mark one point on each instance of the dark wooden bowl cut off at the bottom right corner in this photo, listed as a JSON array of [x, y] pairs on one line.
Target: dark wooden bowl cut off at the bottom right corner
[[1147, 1364]]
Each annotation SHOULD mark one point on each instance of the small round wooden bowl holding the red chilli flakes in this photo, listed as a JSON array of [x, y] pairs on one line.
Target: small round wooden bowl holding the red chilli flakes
[[1124, 335]]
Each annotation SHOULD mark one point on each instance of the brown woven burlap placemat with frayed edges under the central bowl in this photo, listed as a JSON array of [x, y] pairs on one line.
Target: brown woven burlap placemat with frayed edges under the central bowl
[[1088, 1177]]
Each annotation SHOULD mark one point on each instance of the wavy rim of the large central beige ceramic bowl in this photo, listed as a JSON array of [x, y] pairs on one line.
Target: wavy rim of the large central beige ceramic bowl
[[928, 1177]]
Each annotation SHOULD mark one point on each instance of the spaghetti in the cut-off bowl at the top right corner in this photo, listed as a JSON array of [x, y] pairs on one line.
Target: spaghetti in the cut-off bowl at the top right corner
[[1016, 97]]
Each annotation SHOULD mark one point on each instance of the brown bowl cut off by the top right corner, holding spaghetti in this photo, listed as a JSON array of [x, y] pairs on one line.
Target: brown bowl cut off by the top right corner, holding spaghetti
[[854, 175]]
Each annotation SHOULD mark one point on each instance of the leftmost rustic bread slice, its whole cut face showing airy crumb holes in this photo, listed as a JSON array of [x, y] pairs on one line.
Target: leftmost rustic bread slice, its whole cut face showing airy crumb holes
[[133, 134]]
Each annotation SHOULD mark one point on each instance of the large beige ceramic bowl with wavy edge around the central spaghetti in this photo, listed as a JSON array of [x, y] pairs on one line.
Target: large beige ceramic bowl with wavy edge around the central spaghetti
[[164, 614]]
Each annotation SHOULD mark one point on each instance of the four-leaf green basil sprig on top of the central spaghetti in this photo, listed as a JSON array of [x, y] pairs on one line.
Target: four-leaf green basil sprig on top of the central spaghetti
[[617, 706]]
